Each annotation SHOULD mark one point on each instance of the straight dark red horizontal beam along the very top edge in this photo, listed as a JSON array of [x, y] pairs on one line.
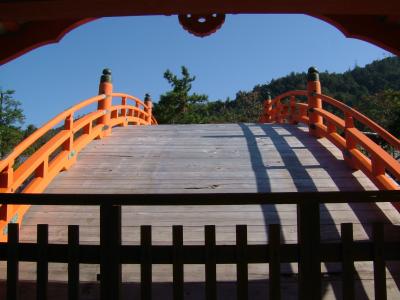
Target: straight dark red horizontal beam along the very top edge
[[23, 11]]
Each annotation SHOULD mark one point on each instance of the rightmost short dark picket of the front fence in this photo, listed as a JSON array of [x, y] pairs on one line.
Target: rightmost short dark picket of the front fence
[[379, 262]]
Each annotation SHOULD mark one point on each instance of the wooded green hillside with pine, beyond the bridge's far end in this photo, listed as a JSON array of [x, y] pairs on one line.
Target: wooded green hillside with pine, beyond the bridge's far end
[[373, 89]]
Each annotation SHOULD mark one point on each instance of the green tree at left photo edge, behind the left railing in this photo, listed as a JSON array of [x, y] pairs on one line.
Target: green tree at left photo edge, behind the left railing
[[11, 117]]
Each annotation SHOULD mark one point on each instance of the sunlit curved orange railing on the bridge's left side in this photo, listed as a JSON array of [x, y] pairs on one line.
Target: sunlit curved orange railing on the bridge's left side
[[35, 172]]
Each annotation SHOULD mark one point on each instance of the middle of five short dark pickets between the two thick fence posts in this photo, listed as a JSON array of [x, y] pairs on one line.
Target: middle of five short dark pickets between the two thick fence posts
[[210, 264]]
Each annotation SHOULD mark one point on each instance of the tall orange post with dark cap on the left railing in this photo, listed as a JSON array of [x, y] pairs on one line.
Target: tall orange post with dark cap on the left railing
[[105, 88]]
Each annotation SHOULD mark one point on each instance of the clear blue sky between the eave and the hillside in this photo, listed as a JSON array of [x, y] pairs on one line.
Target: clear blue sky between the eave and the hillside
[[247, 50]]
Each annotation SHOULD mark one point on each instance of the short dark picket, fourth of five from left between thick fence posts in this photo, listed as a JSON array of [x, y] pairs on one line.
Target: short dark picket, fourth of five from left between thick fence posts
[[241, 265]]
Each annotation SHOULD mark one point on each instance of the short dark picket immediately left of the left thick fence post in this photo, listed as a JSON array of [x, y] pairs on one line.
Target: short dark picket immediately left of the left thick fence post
[[73, 262]]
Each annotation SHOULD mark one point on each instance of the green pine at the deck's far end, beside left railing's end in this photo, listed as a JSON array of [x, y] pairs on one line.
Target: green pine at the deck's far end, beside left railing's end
[[177, 105]]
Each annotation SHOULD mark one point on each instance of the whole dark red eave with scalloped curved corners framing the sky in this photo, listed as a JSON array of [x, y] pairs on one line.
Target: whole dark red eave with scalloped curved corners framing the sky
[[25, 25]]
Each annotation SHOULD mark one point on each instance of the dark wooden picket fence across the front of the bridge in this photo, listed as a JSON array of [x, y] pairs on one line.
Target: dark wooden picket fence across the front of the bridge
[[309, 252]]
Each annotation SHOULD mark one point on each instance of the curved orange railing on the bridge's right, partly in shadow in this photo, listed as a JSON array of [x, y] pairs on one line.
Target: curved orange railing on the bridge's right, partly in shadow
[[334, 120]]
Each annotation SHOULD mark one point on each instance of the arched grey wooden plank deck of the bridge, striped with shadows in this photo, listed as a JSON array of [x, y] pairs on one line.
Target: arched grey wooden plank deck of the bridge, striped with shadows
[[213, 158]]
